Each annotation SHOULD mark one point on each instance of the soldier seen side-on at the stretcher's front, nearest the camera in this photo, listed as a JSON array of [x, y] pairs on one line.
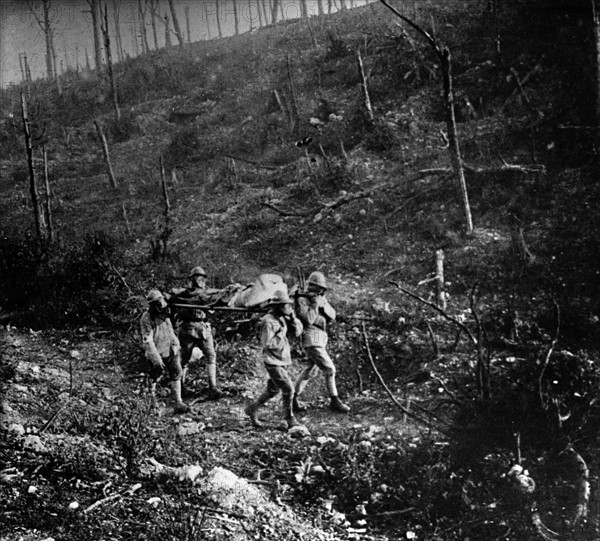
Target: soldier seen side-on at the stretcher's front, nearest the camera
[[274, 328]]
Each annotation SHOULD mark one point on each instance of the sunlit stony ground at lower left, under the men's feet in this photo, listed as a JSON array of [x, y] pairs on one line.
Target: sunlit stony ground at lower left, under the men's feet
[[84, 448]]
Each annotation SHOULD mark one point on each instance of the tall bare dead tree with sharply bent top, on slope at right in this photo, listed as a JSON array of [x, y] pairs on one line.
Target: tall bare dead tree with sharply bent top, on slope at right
[[445, 59]]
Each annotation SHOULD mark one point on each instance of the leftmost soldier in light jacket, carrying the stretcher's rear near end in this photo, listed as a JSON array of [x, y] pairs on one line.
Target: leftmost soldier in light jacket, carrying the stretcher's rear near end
[[161, 347]]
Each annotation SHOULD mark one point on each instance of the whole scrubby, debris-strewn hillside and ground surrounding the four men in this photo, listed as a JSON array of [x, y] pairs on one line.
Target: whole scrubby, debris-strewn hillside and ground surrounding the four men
[[478, 420]]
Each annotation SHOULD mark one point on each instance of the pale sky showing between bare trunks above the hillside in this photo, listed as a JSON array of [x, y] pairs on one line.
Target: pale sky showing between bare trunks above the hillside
[[20, 32]]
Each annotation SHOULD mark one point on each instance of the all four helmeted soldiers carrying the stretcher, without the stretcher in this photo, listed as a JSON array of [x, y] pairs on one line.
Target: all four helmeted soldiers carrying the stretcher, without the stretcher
[[307, 315]]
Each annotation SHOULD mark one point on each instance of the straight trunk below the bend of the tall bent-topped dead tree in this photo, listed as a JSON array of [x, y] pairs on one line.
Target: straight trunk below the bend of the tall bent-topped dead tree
[[453, 147]]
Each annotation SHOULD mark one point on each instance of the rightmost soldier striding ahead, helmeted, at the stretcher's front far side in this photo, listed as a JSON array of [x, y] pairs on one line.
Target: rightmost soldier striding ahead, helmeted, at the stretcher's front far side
[[316, 313]]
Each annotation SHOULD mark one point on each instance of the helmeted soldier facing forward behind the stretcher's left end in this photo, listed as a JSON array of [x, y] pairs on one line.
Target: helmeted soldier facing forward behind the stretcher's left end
[[193, 329]]
